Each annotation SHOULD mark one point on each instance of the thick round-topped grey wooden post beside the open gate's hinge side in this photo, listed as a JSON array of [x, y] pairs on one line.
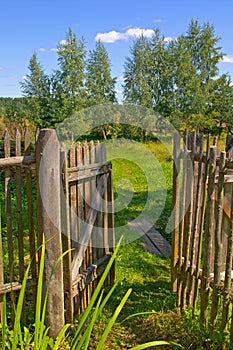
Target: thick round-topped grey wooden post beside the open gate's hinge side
[[48, 216]]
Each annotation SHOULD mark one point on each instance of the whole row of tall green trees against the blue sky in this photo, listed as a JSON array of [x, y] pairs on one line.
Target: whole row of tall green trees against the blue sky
[[177, 78]]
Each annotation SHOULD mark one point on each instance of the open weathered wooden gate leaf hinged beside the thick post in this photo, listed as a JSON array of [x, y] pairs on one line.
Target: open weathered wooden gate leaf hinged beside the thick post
[[87, 182]]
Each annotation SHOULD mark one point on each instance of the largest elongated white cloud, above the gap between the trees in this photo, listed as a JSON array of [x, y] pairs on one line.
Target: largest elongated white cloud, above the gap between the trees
[[113, 36]]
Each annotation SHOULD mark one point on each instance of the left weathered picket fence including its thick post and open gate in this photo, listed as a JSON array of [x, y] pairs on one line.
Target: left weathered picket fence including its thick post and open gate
[[65, 194]]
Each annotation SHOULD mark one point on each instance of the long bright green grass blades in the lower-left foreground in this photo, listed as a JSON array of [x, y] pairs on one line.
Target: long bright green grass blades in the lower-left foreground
[[40, 338]]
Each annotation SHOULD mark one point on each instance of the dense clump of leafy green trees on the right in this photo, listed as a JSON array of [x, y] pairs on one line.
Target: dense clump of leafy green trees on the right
[[179, 79]]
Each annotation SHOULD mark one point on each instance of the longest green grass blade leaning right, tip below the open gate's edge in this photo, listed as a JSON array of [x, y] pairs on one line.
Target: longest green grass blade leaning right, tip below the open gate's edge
[[94, 296]]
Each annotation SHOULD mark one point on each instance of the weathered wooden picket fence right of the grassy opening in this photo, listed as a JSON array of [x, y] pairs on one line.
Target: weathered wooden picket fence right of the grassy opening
[[203, 230]]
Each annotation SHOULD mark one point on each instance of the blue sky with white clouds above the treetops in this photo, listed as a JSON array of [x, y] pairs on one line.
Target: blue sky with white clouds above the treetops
[[28, 26]]
